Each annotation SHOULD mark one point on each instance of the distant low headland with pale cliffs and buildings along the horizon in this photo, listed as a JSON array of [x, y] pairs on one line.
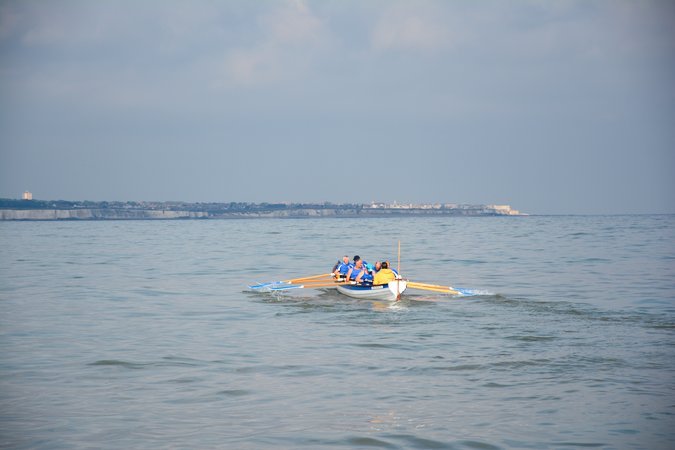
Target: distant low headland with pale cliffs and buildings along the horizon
[[30, 209]]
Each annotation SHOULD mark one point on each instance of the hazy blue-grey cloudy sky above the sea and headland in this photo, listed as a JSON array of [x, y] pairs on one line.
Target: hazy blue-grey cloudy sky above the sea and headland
[[552, 107]]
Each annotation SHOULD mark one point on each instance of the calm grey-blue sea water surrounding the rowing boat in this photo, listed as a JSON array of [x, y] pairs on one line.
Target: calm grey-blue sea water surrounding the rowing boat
[[144, 335]]
